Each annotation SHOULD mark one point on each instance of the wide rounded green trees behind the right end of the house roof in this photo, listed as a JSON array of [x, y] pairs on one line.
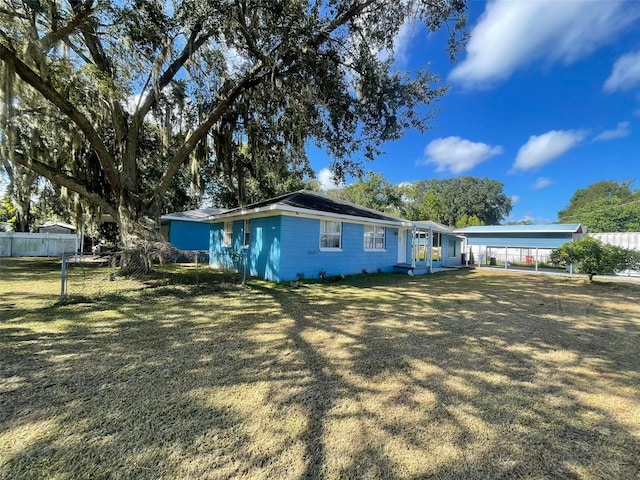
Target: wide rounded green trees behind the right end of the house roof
[[450, 200]]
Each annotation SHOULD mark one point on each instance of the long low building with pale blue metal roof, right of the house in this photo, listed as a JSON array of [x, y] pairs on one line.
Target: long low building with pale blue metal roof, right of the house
[[523, 244]]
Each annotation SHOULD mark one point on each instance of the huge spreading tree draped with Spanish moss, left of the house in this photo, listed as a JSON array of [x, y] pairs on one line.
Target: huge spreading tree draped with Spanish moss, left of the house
[[271, 74]]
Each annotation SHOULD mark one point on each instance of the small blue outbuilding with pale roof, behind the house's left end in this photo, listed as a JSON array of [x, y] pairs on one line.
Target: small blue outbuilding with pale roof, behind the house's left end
[[188, 230]]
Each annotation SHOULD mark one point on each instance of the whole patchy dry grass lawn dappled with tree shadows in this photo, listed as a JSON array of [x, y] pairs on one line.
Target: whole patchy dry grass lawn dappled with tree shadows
[[467, 375]]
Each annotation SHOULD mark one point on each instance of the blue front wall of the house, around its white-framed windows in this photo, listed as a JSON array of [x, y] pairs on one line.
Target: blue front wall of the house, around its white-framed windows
[[301, 254]]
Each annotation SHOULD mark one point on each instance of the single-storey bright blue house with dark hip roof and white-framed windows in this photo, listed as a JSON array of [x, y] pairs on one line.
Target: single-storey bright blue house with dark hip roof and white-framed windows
[[306, 234]]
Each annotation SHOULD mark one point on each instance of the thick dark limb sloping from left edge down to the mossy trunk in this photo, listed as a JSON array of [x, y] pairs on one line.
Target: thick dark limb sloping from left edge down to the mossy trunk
[[67, 108]]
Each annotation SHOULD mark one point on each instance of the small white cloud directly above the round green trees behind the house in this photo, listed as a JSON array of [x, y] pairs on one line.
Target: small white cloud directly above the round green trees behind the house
[[457, 155]]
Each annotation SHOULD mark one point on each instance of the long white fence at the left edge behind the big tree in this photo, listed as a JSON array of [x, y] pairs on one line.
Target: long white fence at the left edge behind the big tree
[[15, 244]]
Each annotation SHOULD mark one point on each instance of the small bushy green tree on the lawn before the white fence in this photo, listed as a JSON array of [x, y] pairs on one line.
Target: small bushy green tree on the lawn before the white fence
[[595, 258]]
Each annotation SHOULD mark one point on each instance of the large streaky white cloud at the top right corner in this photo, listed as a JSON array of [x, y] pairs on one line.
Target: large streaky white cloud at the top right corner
[[513, 34]]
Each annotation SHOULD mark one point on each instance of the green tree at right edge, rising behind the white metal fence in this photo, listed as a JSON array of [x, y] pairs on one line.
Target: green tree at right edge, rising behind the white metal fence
[[606, 206]]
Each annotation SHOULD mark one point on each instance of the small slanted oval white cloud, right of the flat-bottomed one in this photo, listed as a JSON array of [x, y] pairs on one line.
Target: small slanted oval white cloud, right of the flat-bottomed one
[[541, 149]]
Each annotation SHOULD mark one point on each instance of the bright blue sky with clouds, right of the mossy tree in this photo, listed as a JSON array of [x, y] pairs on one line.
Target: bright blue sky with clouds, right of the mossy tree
[[545, 99]]
